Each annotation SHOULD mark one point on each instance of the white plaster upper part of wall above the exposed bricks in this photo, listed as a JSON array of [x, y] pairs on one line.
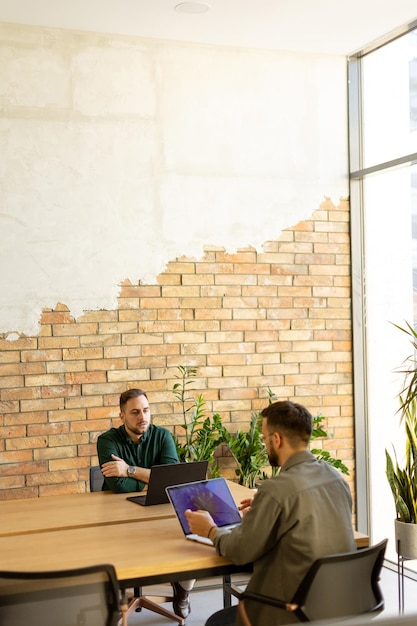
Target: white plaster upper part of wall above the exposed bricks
[[120, 154]]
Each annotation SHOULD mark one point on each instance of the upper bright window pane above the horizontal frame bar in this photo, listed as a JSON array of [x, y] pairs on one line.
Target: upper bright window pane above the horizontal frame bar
[[389, 105]]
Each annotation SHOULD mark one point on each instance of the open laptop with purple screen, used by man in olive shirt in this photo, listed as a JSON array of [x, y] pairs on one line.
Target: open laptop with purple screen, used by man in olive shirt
[[212, 495]]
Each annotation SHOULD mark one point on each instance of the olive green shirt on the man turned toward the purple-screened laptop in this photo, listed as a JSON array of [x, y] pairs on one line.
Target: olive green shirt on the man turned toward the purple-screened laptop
[[300, 515]]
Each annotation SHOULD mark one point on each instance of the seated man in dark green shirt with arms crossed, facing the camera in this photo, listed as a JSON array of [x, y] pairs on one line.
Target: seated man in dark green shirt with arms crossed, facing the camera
[[126, 455]]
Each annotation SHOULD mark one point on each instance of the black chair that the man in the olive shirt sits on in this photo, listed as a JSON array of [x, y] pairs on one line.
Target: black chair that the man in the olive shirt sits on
[[335, 586]]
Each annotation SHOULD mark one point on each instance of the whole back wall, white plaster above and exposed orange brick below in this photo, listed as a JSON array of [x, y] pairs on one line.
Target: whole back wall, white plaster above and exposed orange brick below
[[165, 204]]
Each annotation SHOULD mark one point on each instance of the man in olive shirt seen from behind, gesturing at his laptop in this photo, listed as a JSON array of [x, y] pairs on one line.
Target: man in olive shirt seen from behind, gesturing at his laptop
[[303, 513]]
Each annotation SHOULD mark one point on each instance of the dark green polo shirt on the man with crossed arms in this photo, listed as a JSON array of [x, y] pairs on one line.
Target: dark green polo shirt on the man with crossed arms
[[156, 447]]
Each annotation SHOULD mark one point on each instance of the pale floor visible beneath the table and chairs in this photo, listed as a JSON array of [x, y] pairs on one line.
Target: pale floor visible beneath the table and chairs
[[206, 598]]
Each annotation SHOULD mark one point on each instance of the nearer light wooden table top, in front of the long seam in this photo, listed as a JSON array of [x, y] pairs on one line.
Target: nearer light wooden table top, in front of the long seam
[[152, 550]]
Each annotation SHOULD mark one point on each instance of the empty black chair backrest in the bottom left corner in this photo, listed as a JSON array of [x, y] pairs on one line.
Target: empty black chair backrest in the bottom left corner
[[87, 596]]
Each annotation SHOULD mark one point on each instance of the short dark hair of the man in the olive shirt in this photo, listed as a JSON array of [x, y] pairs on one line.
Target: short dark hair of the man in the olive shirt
[[291, 420]]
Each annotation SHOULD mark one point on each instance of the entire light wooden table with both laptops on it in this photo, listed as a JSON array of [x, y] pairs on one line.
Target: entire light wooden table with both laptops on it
[[145, 544]]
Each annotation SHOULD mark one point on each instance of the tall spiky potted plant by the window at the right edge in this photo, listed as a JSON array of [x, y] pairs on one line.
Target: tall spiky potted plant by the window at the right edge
[[402, 474]]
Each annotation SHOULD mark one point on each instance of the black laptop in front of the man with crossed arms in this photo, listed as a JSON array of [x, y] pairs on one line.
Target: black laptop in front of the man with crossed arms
[[169, 474]]
